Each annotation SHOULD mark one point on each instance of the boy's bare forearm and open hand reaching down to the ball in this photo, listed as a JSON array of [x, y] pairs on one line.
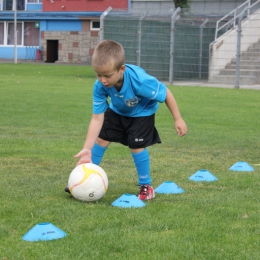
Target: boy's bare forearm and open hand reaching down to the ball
[[94, 128]]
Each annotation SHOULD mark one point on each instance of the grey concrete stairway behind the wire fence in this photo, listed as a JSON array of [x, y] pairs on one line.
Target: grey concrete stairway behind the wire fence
[[249, 68]]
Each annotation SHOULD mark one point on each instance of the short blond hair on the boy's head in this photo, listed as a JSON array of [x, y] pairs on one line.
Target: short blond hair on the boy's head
[[108, 53]]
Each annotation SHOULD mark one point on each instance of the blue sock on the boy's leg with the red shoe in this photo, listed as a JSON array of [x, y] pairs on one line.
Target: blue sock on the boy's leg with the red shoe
[[142, 164]]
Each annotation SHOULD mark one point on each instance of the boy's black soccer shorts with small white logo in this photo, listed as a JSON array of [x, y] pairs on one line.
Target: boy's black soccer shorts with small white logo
[[135, 132]]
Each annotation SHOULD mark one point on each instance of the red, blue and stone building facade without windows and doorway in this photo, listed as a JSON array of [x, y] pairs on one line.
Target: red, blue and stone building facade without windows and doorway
[[66, 21]]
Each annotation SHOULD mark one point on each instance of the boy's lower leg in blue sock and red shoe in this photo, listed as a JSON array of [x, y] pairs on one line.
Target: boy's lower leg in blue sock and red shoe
[[142, 163]]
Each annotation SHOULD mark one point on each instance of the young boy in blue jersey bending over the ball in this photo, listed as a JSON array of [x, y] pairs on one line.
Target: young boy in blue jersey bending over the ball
[[129, 118]]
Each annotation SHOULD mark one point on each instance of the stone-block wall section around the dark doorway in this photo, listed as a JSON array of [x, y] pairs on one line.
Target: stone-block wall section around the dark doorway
[[74, 46]]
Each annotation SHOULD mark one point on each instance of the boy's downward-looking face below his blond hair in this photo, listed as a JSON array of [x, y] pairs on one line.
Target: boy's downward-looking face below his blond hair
[[109, 76]]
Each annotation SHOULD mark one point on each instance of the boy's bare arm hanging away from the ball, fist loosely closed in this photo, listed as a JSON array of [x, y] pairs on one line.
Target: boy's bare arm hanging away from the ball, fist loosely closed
[[180, 125]]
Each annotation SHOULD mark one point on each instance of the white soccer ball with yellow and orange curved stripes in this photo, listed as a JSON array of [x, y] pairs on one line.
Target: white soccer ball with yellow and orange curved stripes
[[88, 182]]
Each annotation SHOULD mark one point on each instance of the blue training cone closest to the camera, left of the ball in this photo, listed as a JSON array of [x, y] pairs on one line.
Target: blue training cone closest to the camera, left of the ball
[[43, 232]]
